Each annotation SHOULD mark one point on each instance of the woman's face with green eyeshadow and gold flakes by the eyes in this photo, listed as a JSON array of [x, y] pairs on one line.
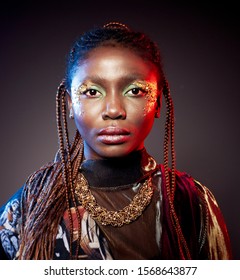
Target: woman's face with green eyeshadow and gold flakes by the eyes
[[114, 98]]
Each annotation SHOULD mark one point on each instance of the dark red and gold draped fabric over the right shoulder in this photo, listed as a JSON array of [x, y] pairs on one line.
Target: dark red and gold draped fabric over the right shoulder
[[196, 206]]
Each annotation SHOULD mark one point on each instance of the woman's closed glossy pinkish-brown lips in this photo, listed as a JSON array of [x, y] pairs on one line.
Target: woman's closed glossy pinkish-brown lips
[[113, 135]]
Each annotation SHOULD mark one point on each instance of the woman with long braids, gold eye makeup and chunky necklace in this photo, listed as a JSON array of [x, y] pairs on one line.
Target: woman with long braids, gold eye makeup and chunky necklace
[[104, 196]]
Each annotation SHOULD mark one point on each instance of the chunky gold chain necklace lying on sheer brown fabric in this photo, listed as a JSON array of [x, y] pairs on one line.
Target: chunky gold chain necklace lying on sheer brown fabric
[[114, 218]]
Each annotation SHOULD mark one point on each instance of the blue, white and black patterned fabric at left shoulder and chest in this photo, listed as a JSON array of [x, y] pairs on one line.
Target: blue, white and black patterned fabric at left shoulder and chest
[[93, 245]]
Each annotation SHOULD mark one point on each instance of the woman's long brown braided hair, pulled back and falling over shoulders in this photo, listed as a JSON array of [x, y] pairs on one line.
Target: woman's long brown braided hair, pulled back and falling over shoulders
[[48, 191]]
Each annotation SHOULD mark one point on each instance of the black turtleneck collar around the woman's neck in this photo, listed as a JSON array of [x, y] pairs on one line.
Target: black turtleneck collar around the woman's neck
[[114, 172]]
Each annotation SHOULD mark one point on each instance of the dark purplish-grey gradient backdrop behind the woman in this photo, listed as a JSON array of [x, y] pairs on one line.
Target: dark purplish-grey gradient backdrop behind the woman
[[200, 49]]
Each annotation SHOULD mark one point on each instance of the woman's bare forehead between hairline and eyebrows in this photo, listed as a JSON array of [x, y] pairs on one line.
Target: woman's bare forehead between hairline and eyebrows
[[109, 64]]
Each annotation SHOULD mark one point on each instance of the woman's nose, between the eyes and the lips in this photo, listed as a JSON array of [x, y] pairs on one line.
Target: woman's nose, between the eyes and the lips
[[114, 108]]
